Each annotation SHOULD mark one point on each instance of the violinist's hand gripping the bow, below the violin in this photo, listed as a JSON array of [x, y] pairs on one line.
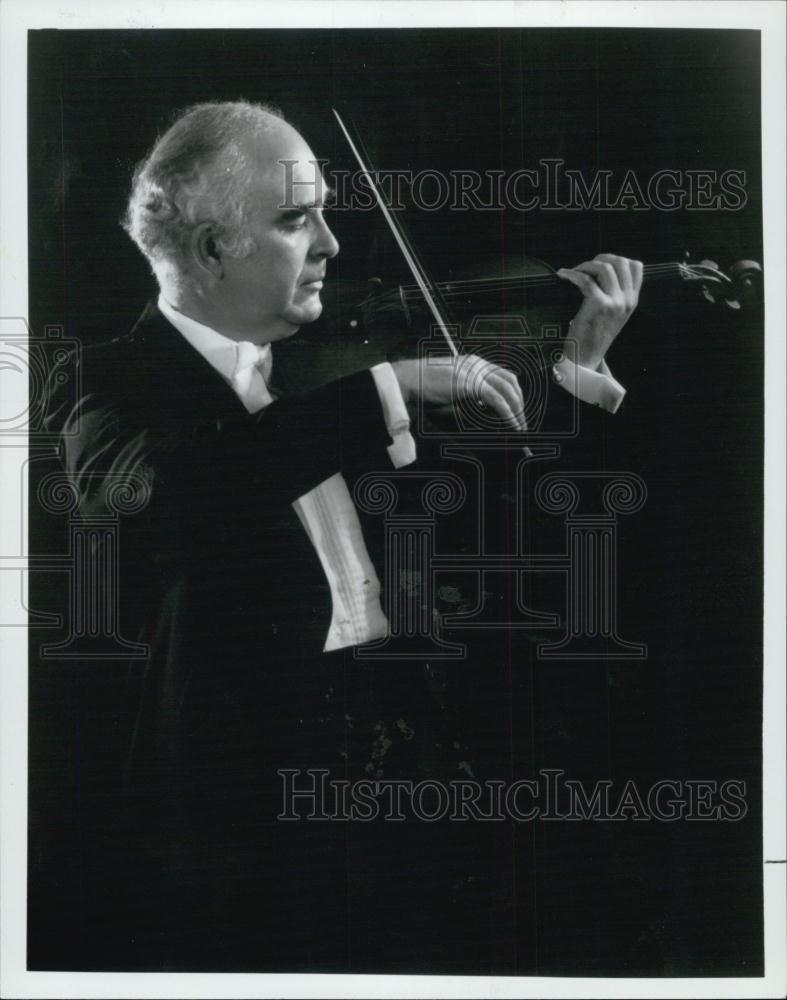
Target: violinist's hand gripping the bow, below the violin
[[445, 381]]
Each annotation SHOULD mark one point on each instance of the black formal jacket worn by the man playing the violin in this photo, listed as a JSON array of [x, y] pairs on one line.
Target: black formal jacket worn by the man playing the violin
[[192, 869]]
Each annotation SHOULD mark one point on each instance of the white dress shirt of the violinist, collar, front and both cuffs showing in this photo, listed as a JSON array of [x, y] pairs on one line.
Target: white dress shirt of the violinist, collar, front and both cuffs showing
[[327, 512]]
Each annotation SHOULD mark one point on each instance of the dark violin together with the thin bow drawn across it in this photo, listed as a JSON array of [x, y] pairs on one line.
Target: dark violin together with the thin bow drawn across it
[[365, 324]]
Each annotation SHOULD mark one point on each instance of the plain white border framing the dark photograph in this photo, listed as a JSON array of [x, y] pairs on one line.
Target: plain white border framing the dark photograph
[[17, 17]]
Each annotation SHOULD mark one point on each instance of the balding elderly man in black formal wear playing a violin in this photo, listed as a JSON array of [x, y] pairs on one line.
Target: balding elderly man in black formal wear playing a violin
[[247, 572]]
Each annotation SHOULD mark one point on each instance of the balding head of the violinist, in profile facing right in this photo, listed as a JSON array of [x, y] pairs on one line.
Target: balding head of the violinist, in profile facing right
[[228, 209]]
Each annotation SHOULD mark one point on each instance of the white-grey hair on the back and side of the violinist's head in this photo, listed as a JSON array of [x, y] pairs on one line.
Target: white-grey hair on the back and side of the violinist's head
[[196, 172]]
